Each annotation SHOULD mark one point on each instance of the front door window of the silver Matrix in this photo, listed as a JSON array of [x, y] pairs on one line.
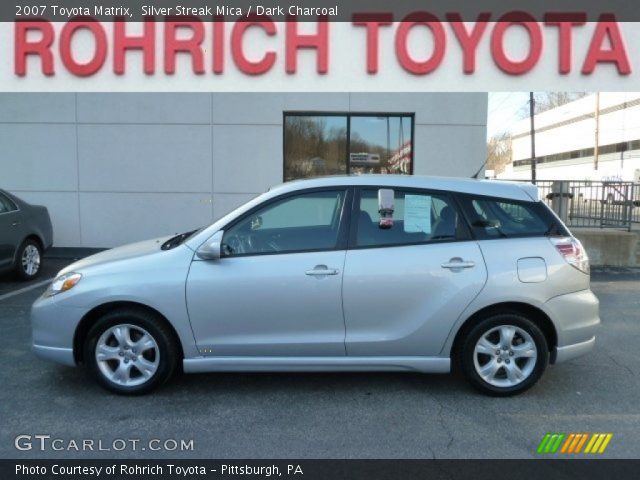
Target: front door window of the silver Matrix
[[305, 222]]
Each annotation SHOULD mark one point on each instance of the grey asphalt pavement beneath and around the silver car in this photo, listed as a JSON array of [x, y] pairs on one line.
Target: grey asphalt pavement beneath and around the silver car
[[332, 415]]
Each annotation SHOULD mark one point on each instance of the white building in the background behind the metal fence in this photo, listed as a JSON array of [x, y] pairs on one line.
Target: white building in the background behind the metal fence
[[566, 138]]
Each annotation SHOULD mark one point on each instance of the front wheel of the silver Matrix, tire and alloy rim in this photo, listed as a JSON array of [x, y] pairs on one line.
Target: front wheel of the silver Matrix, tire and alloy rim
[[131, 365]]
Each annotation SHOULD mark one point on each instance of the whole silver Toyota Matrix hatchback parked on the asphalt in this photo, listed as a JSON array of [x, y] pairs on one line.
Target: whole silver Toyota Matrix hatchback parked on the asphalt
[[354, 273]]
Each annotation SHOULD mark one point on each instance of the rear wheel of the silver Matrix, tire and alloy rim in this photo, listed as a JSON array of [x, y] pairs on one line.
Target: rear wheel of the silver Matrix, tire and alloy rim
[[506, 372]]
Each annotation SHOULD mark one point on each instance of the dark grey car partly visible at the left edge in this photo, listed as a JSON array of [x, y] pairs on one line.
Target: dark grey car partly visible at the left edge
[[25, 232]]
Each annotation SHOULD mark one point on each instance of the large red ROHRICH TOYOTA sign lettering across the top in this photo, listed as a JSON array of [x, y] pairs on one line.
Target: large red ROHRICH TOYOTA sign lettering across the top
[[209, 44]]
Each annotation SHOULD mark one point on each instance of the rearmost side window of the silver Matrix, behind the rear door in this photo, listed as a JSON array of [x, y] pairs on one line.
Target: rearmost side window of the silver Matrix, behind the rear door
[[501, 218]]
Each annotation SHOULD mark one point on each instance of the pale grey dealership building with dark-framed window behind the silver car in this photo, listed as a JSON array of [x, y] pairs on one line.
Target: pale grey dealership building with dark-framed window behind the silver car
[[113, 168]]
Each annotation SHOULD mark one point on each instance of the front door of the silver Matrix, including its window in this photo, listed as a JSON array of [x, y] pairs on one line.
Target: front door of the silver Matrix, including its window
[[277, 290]]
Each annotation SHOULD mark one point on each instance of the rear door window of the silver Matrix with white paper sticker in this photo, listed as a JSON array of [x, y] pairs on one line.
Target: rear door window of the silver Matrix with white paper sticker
[[418, 217]]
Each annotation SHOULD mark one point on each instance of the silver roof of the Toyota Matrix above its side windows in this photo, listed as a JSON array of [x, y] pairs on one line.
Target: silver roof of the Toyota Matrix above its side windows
[[510, 190]]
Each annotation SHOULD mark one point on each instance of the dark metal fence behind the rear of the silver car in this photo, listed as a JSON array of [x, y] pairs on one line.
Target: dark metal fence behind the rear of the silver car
[[603, 204]]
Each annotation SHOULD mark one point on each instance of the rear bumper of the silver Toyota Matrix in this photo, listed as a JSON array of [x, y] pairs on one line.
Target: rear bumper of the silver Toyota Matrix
[[576, 319]]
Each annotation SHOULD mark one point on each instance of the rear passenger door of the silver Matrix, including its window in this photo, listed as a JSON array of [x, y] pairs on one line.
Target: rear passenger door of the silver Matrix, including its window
[[405, 286]]
